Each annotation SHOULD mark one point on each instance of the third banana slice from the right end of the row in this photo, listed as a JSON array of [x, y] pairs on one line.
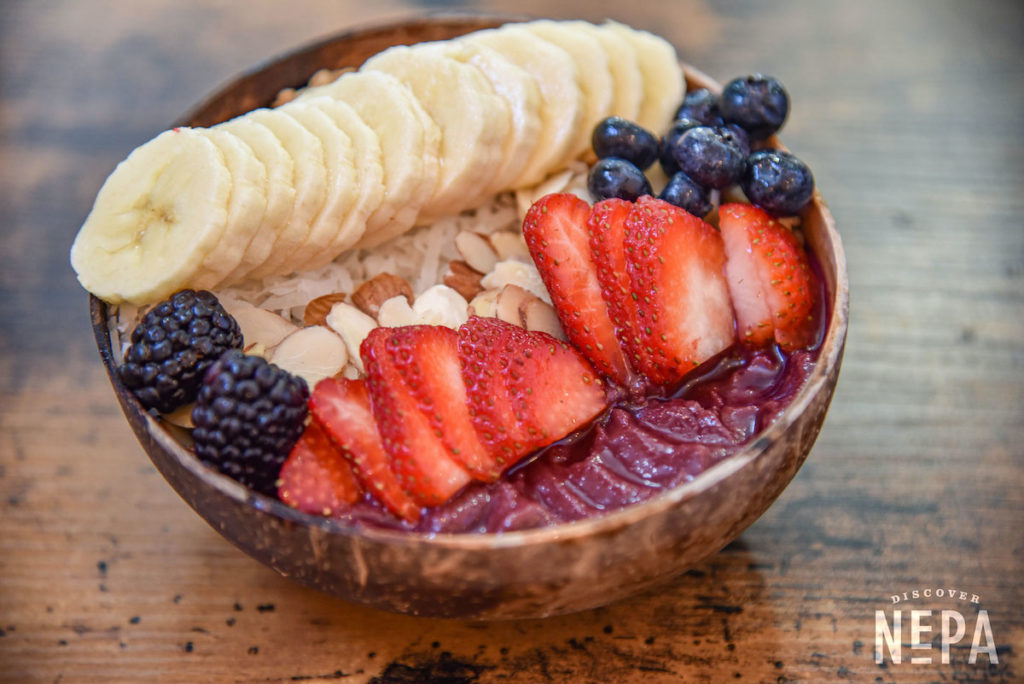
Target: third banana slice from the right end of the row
[[593, 76]]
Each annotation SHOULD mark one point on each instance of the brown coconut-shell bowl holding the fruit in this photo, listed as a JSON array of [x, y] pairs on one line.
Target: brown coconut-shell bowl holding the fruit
[[531, 574]]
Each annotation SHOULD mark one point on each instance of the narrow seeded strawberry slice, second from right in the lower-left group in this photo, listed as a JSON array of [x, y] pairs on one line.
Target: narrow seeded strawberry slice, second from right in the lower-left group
[[487, 358]]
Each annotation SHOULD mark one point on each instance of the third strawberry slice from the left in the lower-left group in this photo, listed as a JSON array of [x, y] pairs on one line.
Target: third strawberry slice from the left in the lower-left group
[[419, 458]]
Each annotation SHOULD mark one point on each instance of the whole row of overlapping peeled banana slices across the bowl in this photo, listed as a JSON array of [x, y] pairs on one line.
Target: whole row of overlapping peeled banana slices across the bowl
[[419, 133]]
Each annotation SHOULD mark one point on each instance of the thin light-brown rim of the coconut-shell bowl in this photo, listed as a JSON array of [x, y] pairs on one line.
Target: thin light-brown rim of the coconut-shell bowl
[[832, 351]]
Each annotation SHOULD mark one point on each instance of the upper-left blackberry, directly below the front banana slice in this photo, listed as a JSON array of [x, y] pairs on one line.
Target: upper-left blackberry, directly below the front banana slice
[[173, 348]]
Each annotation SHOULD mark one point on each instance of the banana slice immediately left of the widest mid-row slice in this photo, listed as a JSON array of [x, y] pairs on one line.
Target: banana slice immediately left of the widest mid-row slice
[[410, 147]]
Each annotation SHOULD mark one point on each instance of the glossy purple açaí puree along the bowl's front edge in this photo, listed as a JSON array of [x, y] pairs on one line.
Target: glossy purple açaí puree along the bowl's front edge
[[633, 453]]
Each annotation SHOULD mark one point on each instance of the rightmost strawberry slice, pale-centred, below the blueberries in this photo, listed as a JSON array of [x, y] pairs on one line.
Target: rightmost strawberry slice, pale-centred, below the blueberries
[[770, 277]]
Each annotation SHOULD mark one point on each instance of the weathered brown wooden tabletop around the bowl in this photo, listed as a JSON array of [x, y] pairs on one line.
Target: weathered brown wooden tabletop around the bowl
[[911, 115]]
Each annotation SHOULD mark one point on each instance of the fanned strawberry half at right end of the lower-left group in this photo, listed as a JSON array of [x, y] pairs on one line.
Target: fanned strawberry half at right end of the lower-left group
[[526, 390]]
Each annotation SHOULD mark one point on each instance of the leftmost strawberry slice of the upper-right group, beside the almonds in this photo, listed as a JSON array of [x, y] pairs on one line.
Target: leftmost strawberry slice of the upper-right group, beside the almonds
[[556, 230]]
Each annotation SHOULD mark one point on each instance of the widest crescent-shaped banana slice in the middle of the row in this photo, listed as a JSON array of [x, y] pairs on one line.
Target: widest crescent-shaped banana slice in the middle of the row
[[474, 120]]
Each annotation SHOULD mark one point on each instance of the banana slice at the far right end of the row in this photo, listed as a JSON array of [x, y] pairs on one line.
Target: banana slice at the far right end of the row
[[664, 84]]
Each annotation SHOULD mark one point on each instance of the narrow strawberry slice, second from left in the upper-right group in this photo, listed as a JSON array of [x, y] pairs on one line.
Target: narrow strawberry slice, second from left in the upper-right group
[[607, 228]]
